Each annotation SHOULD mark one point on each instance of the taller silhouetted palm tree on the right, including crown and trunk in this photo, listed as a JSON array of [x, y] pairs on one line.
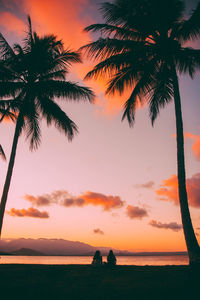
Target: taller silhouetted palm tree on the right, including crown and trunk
[[142, 47]]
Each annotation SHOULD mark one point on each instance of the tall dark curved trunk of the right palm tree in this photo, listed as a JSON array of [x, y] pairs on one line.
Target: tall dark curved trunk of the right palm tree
[[190, 238]]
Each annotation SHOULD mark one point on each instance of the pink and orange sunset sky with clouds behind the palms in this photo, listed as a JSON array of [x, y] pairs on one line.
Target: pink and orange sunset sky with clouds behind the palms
[[112, 185]]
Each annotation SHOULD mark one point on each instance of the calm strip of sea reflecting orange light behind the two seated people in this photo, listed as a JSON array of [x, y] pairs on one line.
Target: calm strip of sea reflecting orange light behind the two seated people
[[121, 260]]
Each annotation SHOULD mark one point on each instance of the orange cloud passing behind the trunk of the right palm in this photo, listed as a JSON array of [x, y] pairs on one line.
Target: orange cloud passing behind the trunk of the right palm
[[169, 190]]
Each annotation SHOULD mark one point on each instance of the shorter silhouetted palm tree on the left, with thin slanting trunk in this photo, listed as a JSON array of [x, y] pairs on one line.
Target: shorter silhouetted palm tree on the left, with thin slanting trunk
[[32, 76]]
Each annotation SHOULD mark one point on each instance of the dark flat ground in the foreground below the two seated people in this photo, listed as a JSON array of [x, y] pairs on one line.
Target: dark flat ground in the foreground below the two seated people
[[87, 282]]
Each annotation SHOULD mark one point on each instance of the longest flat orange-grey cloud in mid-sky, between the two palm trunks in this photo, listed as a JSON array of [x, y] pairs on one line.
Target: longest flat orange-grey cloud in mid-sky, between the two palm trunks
[[63, 198]]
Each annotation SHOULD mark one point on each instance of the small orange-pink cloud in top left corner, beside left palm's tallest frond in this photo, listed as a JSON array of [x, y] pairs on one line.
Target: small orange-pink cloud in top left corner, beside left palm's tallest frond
[[11, 23]]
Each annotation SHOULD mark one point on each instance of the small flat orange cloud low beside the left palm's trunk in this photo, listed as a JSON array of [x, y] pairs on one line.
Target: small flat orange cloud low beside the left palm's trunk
[[30, 212]]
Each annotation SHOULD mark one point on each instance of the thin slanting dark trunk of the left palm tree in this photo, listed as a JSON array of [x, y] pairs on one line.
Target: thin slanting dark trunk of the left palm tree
[[9, 171]]
